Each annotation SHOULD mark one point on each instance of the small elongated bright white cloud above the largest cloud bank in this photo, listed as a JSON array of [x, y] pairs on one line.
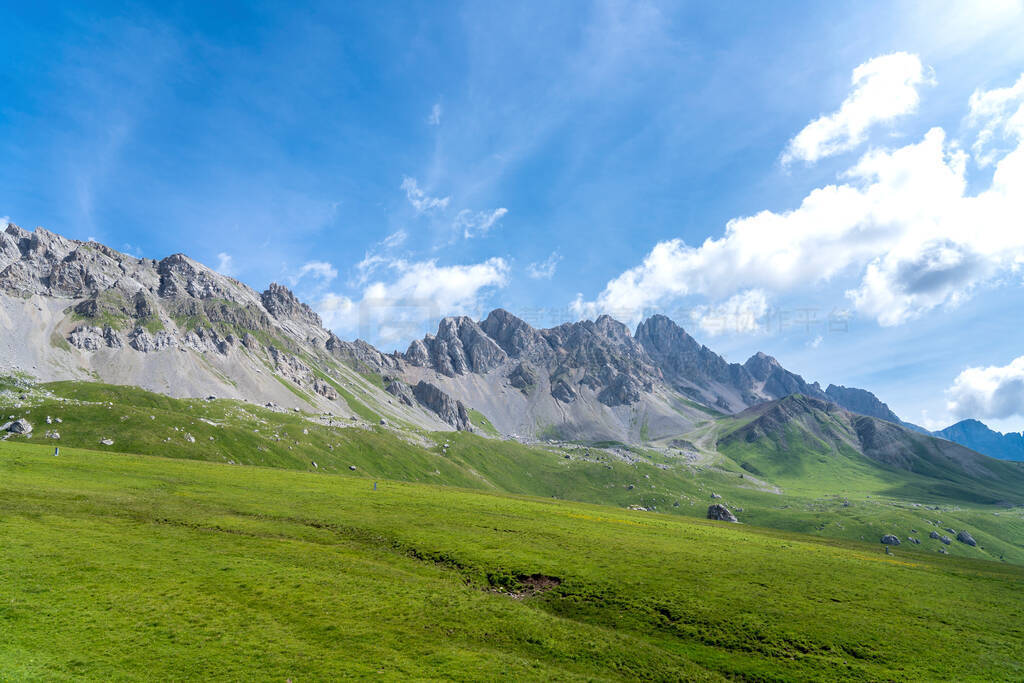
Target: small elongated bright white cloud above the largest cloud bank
[[883, 90]]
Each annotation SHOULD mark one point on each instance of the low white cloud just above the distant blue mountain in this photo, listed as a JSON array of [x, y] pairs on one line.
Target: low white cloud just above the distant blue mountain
[[993, 393]]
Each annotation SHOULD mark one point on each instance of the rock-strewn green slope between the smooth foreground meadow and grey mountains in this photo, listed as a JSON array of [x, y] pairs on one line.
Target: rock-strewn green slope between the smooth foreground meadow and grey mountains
[[840, 496]]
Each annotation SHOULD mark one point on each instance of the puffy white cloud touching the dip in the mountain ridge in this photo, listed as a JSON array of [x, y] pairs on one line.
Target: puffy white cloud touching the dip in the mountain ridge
[[417, 293]]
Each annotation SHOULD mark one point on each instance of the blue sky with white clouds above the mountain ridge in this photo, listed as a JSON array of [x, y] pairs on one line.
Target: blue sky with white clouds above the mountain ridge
[[838, 185]]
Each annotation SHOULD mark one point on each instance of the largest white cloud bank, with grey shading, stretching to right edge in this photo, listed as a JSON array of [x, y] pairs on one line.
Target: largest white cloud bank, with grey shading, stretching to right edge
[[902, 226]]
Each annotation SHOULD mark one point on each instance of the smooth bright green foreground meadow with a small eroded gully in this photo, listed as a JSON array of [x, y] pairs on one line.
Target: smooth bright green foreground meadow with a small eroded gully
[[119, 567]]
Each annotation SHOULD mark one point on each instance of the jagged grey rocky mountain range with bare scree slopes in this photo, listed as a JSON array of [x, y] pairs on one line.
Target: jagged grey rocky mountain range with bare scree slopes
[[82, 311]]
